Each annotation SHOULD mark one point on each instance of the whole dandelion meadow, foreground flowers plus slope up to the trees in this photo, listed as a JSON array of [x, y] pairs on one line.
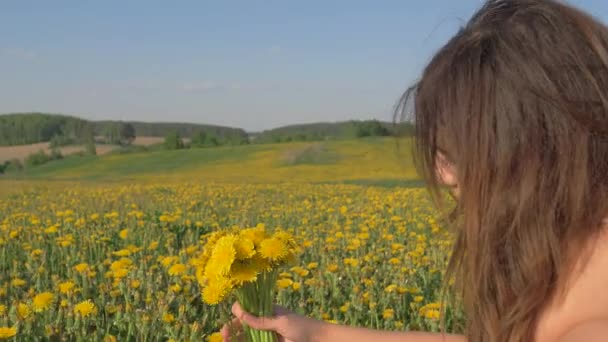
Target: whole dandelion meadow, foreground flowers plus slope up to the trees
[[104, 248]]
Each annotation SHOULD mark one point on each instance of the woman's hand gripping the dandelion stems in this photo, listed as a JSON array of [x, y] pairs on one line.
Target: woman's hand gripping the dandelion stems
[[290, 327]]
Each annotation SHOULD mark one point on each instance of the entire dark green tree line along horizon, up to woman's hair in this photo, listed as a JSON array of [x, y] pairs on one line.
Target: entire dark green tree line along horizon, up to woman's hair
[[61, 130]]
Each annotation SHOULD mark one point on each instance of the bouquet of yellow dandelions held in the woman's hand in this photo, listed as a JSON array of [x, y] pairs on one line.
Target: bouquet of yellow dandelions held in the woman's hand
[[244, 263]]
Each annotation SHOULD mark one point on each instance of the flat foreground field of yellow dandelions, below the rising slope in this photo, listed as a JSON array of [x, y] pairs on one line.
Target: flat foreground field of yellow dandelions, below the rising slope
[[116, 262]]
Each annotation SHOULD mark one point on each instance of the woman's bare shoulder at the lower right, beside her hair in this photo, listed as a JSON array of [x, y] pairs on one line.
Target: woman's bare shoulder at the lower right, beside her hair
[[586, 299]]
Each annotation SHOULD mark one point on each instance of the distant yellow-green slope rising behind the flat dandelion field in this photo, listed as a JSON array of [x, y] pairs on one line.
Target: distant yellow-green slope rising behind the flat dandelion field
[[371, 160]]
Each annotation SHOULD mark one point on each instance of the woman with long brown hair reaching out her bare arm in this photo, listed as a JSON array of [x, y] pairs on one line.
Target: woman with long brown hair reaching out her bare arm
[[512, 114]]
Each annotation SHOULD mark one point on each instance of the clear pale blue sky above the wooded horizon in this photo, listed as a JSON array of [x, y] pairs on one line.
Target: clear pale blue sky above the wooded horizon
[[254, 64]]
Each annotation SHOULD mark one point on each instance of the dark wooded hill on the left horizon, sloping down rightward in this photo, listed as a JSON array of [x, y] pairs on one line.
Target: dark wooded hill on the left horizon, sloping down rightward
[[32, 128]]
